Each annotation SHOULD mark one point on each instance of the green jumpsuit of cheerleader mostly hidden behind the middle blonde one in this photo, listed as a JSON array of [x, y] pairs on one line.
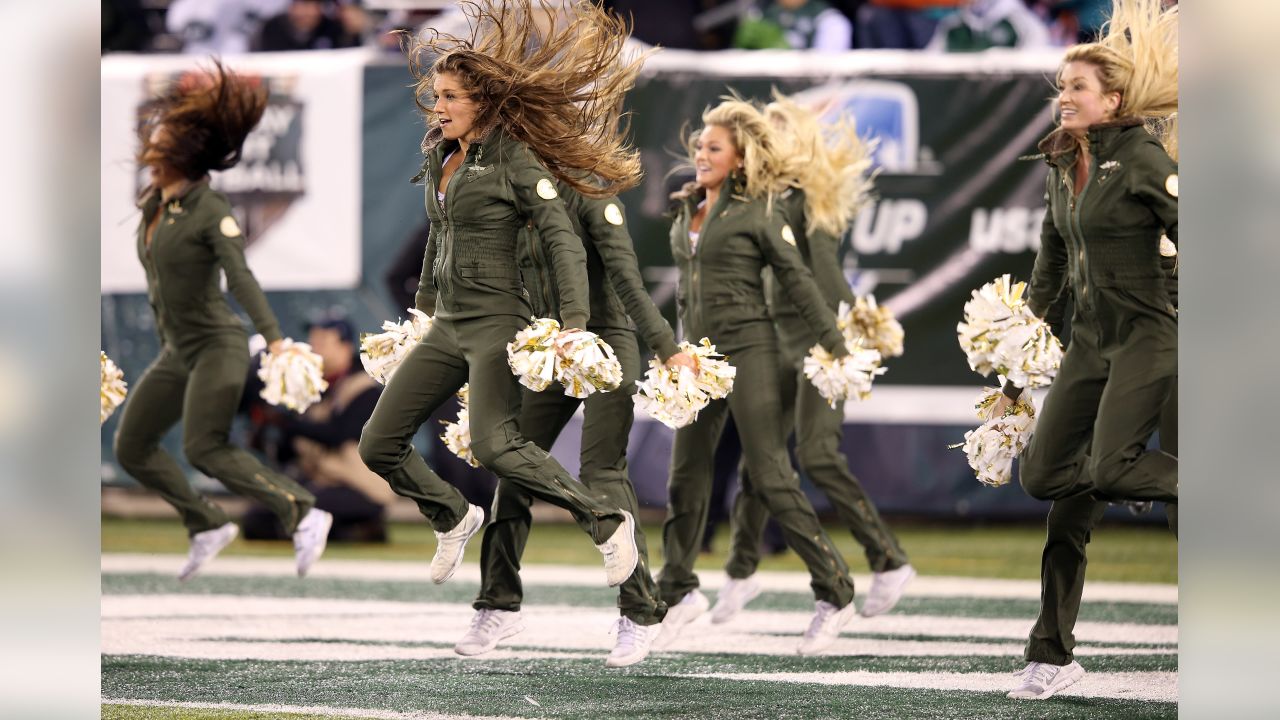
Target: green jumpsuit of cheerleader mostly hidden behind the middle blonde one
[[819, 426]]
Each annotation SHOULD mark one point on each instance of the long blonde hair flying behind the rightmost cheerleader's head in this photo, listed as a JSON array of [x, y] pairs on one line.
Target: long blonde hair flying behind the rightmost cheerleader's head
[[1137, 57]]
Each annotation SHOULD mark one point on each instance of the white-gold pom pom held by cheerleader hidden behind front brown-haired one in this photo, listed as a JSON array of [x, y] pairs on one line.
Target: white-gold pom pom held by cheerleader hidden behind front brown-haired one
[[674, 397]]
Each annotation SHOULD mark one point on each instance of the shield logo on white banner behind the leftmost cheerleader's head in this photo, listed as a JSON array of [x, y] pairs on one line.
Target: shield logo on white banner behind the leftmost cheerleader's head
[[271, 176]]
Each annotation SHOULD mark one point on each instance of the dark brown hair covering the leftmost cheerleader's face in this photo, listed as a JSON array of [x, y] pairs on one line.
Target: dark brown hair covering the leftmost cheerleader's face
[[207, 115]]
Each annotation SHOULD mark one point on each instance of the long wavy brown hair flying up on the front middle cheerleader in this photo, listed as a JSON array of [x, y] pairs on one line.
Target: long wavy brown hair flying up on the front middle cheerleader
[[554, 80]]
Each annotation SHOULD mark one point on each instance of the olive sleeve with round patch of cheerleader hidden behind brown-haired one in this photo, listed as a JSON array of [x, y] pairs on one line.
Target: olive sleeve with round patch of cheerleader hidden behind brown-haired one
[[605, 224]]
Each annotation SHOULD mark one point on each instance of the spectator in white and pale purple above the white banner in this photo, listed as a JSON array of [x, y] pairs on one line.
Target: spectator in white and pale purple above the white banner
[[220, 28]]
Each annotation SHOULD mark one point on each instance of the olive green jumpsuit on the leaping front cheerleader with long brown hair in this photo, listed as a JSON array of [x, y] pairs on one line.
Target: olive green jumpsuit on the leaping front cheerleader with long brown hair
[[470, 282]]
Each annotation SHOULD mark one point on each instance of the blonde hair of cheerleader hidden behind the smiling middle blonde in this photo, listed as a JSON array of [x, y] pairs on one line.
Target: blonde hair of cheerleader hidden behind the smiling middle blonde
[[830, 165]]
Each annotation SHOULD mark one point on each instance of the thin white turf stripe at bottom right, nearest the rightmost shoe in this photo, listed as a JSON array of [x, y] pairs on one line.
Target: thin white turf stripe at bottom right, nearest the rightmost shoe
[[1162, 687]]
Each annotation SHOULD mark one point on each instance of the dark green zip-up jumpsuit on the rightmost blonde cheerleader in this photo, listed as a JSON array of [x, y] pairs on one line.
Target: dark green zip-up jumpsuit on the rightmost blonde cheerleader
[[1118, 380]]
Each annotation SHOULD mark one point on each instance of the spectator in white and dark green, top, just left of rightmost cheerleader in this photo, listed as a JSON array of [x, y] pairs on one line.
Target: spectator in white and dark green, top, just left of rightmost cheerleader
[[990, 24]]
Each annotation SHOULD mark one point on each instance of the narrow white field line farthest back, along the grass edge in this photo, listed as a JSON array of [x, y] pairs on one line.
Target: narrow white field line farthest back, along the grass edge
[[593, 577]]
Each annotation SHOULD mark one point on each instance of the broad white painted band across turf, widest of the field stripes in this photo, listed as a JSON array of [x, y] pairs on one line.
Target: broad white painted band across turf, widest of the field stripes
[[231, 627]]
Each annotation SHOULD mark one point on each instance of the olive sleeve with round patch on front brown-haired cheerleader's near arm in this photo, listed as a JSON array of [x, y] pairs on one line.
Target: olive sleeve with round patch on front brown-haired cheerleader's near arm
[[536, 195]]
